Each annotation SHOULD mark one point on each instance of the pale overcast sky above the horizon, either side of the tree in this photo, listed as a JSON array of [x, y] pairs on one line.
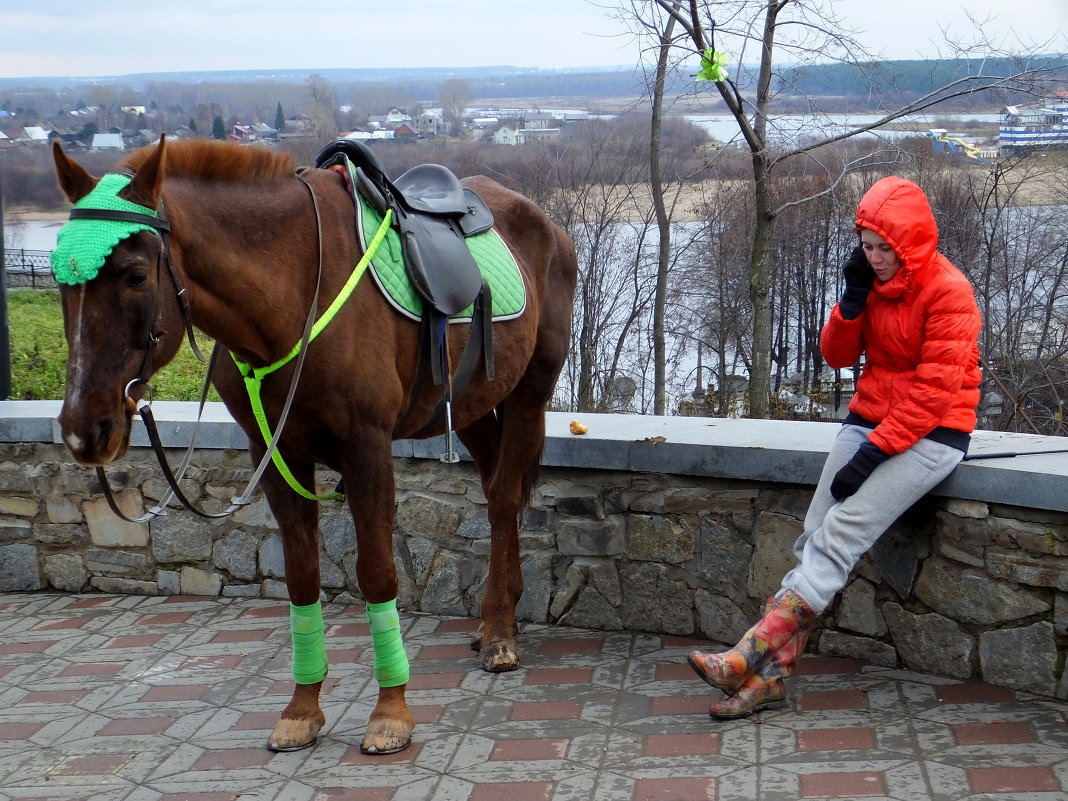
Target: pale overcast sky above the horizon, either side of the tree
[[106, 38]]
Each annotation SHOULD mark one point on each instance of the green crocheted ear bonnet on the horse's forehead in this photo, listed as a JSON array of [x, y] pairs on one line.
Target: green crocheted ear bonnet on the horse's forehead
[[83, 245]]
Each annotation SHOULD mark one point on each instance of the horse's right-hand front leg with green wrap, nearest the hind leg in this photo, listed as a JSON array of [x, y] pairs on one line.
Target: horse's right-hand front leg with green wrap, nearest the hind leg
[[370, 486]]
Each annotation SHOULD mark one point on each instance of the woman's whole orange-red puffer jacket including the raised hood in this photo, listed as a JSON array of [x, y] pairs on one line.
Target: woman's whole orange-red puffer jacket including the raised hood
[[920, 329]]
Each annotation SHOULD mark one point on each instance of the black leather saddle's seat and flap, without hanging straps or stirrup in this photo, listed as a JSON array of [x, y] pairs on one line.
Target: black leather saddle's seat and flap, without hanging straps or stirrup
[[433, 215]]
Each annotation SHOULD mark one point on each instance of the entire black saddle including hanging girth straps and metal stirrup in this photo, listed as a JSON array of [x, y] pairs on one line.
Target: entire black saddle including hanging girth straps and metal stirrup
[[433, 215]]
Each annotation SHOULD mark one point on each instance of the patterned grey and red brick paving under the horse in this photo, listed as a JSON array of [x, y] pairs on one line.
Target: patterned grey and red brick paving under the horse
[[134, 699]]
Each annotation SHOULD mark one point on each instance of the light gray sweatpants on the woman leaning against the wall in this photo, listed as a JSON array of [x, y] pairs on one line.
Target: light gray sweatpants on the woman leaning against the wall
[[838, 535]]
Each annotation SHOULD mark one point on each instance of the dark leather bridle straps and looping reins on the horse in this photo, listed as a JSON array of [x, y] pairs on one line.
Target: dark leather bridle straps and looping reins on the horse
[[144, 409]]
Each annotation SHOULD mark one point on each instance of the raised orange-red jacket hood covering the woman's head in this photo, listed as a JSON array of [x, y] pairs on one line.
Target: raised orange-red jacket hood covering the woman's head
[[899, 211]]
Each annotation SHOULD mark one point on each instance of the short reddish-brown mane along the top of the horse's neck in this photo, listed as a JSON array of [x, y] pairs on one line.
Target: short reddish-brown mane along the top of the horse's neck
[[211, 161]]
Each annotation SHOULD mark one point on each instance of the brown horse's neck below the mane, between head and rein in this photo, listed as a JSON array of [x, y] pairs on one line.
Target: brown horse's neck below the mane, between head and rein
[[247, 264]]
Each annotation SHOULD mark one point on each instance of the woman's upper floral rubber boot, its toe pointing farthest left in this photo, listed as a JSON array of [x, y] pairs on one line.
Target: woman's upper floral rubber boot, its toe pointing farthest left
[[728, 671]]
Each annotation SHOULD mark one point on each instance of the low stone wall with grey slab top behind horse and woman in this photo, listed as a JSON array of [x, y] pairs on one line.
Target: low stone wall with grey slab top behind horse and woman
[[960, 587]]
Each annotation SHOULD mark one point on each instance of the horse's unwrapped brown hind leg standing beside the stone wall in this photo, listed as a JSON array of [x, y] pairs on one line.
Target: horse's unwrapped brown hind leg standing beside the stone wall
[[504, 457]]
